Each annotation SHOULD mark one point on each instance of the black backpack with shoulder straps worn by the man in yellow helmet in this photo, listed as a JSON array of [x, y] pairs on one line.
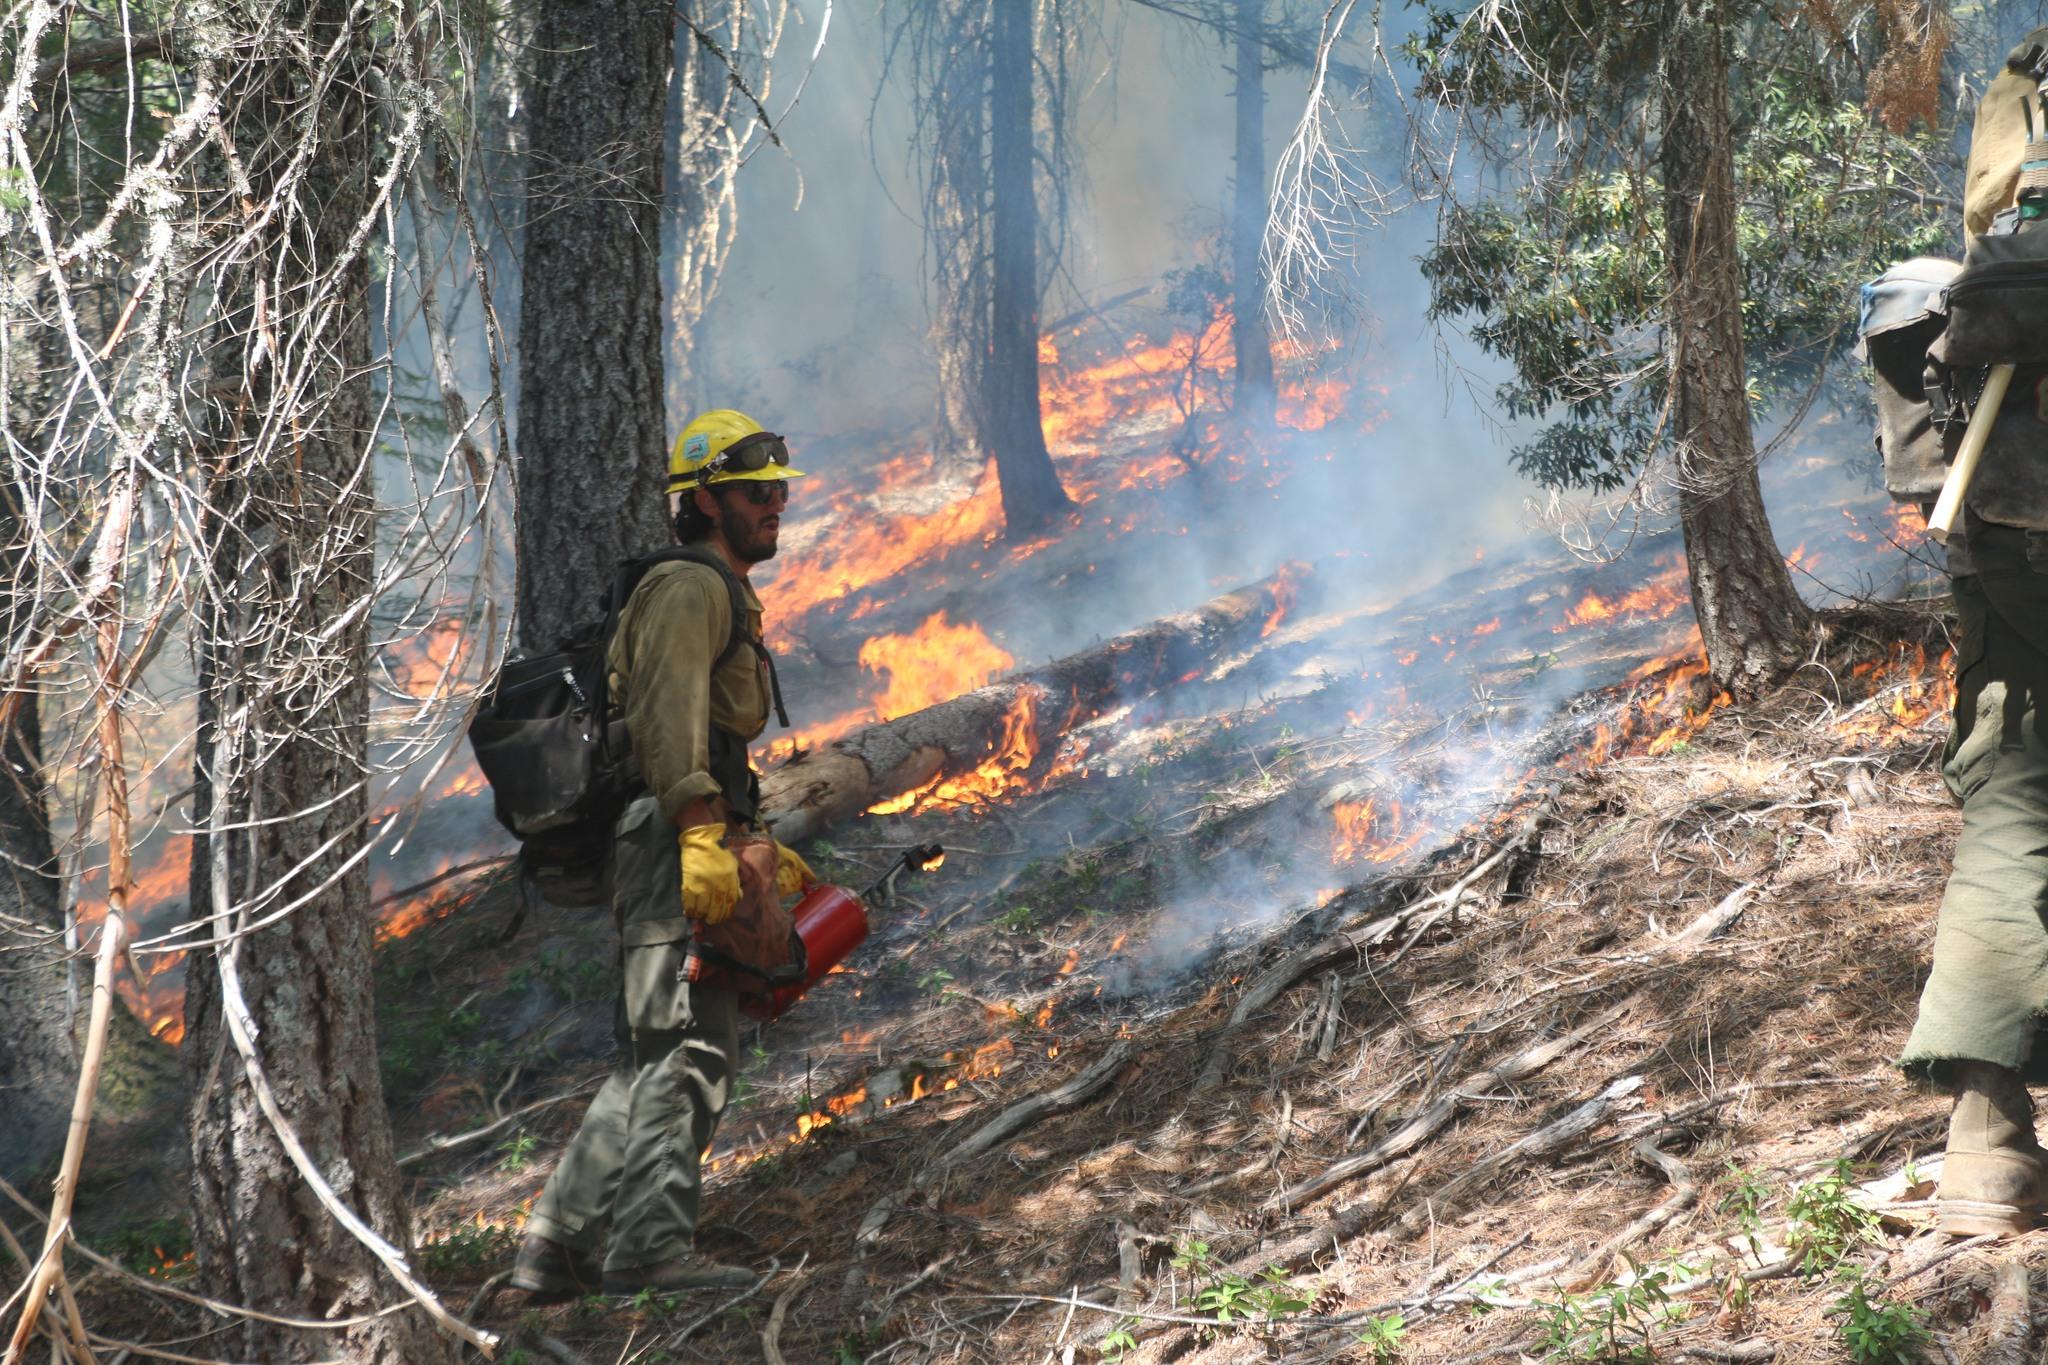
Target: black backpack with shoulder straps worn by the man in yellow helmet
[[560, 764]]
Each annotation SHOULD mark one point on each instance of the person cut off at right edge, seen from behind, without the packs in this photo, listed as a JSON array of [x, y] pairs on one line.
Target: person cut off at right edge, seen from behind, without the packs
[[1983, 1006]]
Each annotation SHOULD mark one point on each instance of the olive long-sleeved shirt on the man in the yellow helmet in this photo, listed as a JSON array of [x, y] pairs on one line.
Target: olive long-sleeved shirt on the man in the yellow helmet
[[673, 627]]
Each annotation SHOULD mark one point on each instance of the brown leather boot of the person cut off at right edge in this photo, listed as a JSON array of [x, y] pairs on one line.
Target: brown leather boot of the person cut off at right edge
[[1996, 1172]]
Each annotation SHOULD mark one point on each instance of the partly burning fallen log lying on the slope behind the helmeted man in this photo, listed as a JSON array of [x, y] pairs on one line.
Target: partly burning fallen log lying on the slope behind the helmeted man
[[1025, 711]]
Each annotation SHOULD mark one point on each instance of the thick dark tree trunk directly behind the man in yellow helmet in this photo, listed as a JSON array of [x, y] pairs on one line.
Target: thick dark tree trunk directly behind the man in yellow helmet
[[593, 431]]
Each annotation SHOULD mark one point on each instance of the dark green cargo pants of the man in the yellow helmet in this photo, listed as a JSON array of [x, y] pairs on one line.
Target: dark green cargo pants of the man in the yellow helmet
[[630, 1182]]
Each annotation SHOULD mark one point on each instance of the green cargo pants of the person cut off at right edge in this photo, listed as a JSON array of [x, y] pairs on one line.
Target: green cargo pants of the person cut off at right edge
[[1988, 994]]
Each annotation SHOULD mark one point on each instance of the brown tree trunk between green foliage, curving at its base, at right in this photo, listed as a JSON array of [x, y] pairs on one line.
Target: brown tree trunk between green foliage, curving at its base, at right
[[1752, 619]]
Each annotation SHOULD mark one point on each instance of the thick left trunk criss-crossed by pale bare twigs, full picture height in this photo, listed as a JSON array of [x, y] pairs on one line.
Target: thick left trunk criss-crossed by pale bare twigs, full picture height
[[284, 730]]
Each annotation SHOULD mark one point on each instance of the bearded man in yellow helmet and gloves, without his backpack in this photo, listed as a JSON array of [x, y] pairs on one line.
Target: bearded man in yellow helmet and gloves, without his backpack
[[620, 1213]]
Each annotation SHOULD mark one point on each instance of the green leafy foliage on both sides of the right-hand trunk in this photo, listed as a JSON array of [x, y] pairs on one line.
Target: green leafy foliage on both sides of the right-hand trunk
[[1560, 267]]
